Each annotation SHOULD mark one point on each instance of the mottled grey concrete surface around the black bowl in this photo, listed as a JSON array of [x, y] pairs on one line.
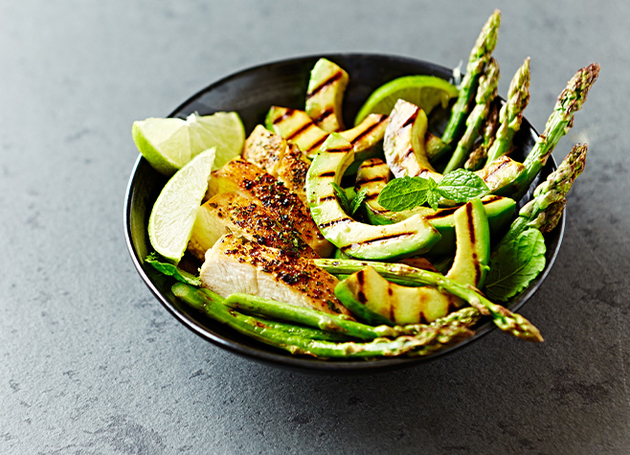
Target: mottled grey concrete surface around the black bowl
[[91, 363]]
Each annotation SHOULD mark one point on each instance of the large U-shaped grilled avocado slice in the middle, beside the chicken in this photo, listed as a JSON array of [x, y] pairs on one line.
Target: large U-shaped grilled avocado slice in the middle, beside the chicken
[[410, 237]]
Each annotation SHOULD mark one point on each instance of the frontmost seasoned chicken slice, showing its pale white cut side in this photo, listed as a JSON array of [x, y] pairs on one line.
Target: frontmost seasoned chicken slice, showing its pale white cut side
[[235, 264]]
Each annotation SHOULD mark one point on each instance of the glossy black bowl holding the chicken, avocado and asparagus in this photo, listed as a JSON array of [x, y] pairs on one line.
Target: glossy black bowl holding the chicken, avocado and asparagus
[[251, 92]]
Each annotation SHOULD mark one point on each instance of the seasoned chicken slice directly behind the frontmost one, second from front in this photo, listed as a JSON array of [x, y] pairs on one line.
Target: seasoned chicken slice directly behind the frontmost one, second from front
[[232, 213]]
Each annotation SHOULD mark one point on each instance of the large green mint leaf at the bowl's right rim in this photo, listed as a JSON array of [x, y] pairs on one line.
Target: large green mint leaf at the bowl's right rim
[[516, 265]]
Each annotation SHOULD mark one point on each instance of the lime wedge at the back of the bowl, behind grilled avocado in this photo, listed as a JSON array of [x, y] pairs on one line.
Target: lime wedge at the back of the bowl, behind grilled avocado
[[425, 92]]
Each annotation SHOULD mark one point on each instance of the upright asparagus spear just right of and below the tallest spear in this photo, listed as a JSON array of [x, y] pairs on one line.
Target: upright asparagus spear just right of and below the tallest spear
[[486, 93]]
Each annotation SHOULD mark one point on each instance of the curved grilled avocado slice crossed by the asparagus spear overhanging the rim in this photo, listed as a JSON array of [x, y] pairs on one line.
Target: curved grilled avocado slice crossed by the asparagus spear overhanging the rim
[[375, 300]]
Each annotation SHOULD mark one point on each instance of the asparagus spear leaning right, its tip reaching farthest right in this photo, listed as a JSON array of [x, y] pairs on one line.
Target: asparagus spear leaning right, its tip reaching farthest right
[[559, 123]]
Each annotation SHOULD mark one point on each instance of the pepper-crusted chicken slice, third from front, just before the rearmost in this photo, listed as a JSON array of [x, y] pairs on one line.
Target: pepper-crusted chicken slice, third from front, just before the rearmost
[[247, 179]]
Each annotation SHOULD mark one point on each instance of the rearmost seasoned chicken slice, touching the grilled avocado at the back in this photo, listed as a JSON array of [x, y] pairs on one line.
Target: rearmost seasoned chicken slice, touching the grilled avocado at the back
[[283, 160]]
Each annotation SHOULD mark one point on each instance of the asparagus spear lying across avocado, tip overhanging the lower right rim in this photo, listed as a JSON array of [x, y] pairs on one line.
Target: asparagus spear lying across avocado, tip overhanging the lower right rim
[[411, 276]]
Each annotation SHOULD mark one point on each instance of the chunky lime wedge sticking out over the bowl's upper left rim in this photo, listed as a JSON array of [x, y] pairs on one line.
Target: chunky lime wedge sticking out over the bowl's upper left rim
[[169, 143]]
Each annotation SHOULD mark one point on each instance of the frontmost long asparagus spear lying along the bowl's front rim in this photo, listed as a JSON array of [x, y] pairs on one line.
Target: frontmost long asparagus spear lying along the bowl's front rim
[[264, 332]]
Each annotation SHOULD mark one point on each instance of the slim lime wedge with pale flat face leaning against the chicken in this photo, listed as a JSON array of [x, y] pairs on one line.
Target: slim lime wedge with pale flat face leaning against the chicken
[[174, 212]]
